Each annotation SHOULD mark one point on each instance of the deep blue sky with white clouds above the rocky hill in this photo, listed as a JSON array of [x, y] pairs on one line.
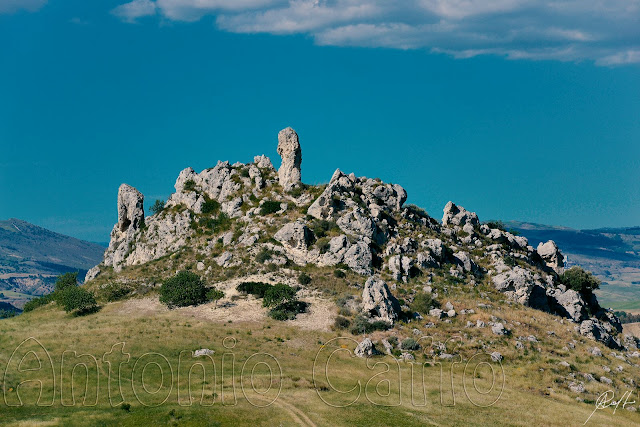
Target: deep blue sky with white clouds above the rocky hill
[[517, 110]]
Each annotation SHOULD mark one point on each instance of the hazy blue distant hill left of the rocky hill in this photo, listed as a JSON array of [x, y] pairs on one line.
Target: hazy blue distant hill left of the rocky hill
[[31, 257]]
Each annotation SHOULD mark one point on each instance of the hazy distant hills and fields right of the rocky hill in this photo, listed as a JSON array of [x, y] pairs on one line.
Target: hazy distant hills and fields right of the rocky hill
[[613, 254]]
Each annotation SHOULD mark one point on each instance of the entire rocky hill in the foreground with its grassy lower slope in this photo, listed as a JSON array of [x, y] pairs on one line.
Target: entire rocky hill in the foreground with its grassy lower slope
[[463, 322]]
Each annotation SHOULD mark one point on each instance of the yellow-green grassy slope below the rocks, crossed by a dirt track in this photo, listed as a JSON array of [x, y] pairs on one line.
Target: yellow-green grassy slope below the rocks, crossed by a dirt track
[[154, 336]]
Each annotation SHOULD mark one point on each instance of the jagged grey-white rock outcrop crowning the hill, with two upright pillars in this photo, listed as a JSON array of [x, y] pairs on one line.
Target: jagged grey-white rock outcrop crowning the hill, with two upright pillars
[[354, 222]]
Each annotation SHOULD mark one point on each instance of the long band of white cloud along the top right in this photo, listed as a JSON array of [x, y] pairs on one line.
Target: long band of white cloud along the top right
[[605, 31]]
